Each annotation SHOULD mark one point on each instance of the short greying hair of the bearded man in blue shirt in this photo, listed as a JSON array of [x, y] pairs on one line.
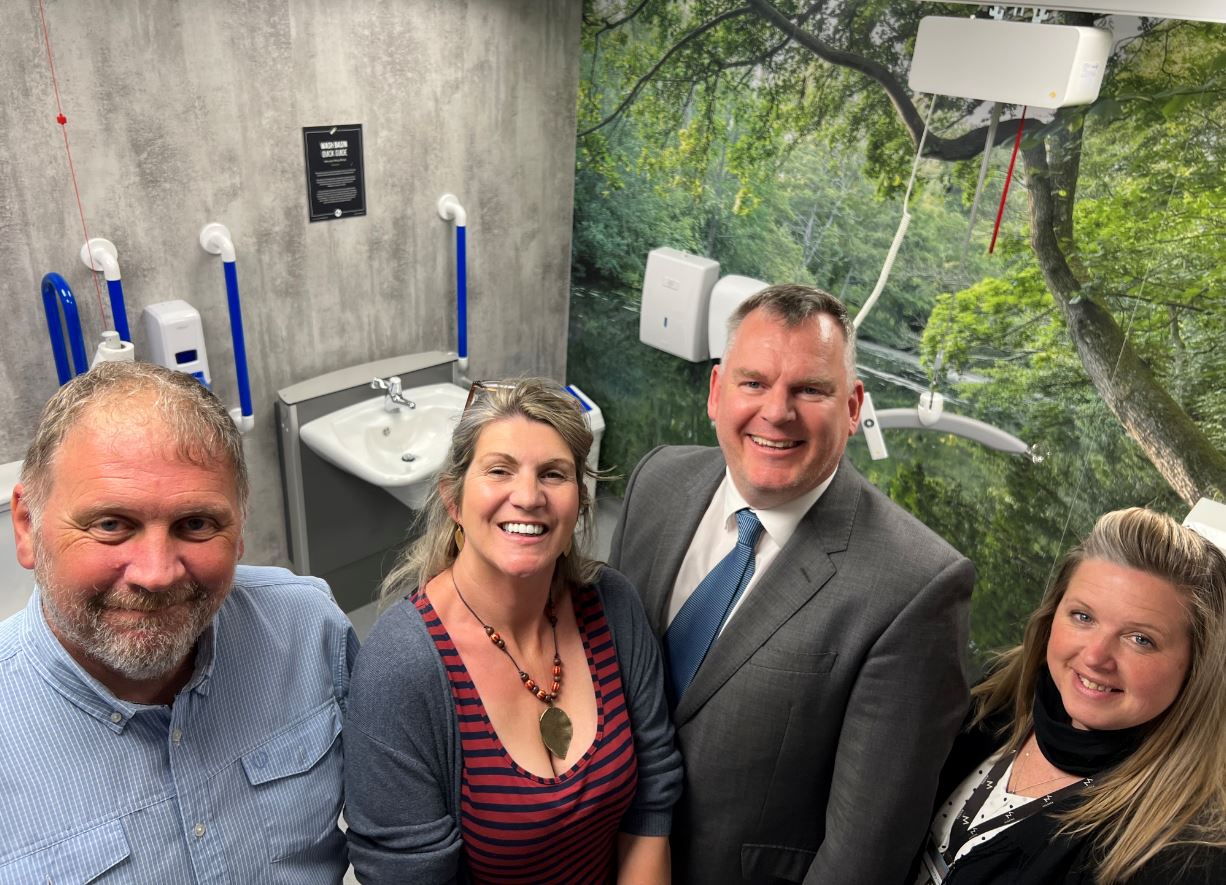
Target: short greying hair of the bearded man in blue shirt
[[200, 428]]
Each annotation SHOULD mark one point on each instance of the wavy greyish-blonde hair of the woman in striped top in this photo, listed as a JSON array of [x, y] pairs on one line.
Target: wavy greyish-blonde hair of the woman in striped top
[[535, 399]]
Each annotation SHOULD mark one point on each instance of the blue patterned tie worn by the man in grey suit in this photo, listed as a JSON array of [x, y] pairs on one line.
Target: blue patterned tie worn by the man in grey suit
[[698, 622]]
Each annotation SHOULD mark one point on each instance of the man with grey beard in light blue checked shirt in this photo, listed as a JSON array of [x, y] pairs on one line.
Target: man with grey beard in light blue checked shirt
[[166, 714]]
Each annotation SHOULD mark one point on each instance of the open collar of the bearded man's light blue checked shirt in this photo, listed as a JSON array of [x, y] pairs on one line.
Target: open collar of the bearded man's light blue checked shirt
[[64, 675]]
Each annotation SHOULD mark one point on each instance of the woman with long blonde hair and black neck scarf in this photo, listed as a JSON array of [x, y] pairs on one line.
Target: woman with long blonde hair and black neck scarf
[[1097, 751]]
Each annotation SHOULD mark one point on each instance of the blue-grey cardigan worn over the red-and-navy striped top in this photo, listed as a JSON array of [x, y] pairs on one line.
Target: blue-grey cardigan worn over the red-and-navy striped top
[[403, 743]]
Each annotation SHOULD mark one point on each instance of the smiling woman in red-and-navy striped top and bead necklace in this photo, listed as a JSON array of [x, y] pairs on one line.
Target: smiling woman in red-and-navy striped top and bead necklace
[[507, 719]]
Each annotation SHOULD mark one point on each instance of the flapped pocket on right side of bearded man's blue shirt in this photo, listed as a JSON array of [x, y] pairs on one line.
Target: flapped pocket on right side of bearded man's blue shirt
[[299, 780]]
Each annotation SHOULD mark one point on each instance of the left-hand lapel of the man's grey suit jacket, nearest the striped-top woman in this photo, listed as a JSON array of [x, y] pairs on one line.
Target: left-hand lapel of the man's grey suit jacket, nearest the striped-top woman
[[692, 493]]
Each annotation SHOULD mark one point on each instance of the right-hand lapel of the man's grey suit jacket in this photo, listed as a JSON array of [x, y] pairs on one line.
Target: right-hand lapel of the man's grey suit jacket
[[801, 569]]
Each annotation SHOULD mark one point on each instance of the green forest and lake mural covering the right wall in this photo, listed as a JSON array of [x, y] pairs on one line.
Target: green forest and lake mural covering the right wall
[[778, 138]]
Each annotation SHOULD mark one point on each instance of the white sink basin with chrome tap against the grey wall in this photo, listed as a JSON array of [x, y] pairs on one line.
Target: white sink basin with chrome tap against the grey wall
[[399, 452]]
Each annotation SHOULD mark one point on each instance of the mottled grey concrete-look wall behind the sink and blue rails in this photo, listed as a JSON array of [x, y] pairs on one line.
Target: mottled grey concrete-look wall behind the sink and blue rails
[[185, 113]]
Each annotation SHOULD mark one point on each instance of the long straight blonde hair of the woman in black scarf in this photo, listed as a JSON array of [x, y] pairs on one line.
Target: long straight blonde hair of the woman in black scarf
[[1173, 789]]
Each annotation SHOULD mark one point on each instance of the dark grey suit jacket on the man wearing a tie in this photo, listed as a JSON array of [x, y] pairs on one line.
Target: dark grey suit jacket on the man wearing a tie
[[817, 726]]
